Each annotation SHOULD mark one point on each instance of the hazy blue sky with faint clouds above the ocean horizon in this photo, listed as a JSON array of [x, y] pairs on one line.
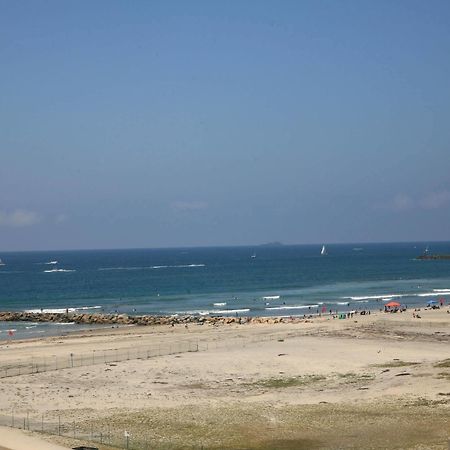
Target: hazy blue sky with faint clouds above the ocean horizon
[[171, 123]]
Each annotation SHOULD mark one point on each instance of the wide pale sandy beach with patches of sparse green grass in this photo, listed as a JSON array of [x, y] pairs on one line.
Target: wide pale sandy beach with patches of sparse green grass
[[371, 381]]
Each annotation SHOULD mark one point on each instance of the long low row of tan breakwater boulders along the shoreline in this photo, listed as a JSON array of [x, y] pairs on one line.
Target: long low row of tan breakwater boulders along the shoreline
[[123, 319]]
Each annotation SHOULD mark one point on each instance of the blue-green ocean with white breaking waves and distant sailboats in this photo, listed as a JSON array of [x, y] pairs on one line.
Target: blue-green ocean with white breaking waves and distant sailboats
[[281, 280]]
